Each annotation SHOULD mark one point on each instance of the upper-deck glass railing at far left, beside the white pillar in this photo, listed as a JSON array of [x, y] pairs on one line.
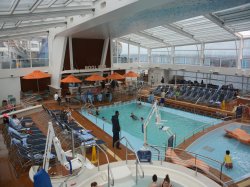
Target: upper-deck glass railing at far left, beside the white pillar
[[6, 63]]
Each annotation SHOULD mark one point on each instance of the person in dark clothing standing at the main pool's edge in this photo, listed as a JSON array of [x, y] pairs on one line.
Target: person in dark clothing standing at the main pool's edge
[[116, 129]]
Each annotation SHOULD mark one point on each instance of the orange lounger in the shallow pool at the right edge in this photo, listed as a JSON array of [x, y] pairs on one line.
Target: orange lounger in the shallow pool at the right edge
[[239, 134]]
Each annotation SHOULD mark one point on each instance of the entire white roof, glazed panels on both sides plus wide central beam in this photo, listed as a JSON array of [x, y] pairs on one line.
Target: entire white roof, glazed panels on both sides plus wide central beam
[[148, 23]]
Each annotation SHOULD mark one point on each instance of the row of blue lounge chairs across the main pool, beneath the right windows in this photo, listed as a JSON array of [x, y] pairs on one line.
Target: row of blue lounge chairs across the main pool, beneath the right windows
[[196, 94]]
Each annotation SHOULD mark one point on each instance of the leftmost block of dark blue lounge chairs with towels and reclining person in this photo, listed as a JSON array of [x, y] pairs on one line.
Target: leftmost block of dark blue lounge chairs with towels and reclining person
[[26, 145]]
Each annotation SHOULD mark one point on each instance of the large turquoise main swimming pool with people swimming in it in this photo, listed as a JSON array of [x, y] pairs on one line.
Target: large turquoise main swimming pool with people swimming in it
[[181, 123]]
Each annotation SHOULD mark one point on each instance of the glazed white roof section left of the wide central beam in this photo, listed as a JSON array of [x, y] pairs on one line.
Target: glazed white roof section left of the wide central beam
[[28, 16]]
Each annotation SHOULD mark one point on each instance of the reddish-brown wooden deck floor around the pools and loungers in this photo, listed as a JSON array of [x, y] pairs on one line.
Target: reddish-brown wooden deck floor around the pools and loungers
[[8, 178]]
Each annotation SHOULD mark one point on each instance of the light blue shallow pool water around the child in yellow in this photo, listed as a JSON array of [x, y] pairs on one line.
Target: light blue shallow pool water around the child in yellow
[[215, 144]]
